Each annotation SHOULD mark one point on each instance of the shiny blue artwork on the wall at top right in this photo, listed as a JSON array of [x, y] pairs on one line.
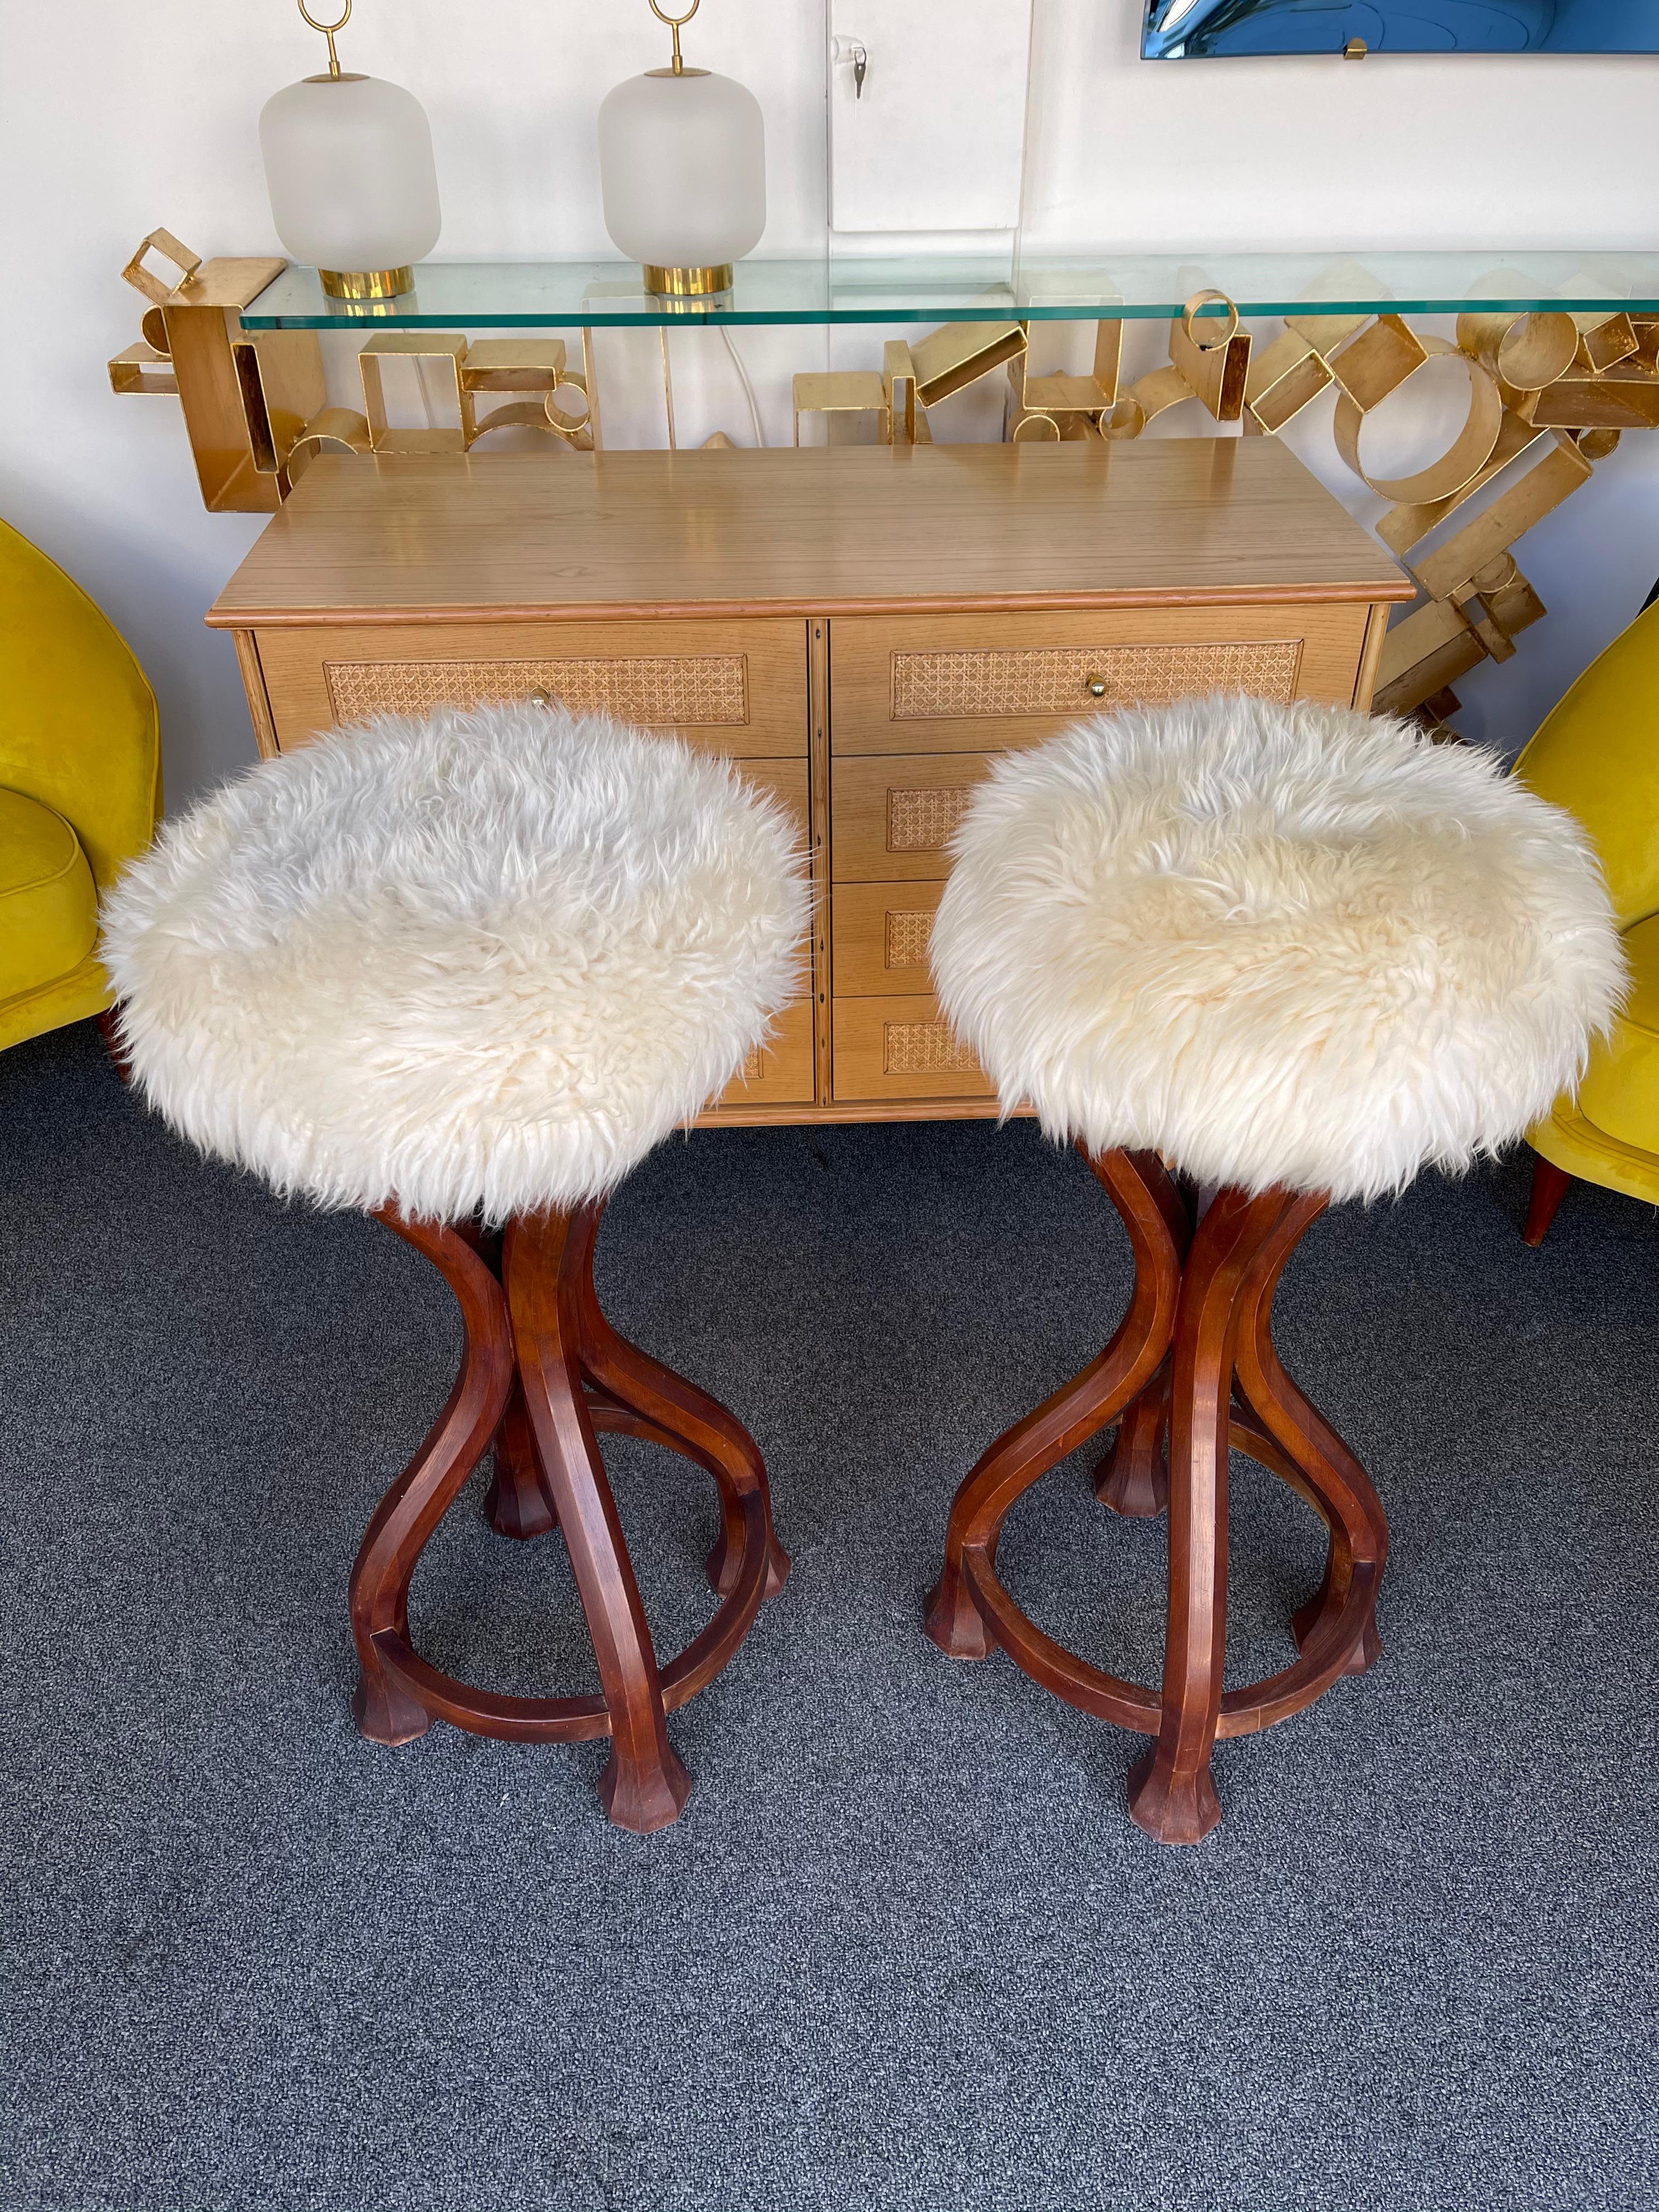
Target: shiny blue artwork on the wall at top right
[[1193, 30]]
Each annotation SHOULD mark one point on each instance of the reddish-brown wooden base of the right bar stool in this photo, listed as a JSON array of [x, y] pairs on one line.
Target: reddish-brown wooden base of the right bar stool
[[1191, 1375]]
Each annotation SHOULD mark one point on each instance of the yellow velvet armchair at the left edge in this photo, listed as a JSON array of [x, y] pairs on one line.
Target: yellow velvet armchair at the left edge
[[81, 786]]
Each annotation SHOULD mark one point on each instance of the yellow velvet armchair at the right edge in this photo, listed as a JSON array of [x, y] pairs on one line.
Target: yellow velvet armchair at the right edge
[[1598, 755]]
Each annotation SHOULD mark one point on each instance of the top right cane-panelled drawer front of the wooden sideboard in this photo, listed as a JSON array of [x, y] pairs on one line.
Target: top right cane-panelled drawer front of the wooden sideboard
[[985, 682]]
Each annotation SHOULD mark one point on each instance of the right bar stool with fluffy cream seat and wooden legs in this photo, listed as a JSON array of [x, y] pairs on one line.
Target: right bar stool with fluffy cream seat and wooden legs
[[1291, 954]]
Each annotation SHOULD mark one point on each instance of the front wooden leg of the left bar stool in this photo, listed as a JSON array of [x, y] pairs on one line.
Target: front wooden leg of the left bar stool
[[645, 1786]]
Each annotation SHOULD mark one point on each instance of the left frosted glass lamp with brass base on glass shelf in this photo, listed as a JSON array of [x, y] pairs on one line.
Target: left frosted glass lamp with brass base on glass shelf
[[353, 182]]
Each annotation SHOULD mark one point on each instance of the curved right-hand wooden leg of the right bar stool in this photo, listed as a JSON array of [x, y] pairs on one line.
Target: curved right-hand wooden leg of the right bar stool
[[1322, 1465]]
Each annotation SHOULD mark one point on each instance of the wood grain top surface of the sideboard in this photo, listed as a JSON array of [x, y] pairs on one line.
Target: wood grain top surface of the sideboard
[[833, 530]]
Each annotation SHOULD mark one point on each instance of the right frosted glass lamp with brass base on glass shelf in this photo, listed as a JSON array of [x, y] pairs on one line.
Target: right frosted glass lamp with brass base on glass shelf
[[682, 169]]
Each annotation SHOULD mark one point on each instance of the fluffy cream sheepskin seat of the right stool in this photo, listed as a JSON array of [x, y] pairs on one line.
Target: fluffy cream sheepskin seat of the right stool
[[1282, 946]]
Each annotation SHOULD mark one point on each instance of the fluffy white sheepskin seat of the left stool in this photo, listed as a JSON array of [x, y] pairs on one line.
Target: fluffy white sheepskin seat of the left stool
[[472, 963]]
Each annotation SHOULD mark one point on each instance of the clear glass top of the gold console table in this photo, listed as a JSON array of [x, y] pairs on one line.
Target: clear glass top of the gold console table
[[547, 295]]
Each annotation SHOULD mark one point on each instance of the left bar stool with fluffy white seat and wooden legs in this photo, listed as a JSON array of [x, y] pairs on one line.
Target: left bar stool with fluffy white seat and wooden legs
[[463, 974]]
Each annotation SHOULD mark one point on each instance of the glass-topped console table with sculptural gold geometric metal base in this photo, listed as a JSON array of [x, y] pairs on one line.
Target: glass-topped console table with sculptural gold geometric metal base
[[1561, 355]]
